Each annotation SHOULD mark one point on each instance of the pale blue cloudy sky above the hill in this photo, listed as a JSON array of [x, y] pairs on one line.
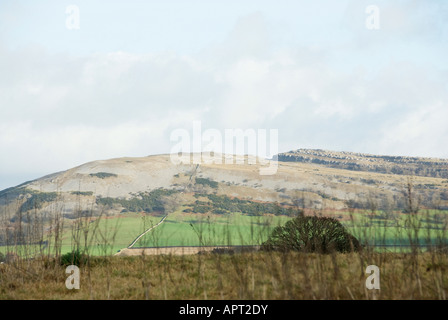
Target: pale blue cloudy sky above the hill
[[116, 78]]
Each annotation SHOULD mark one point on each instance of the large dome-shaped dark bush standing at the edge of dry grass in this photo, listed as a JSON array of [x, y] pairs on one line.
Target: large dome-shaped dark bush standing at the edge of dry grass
[[312, 234]]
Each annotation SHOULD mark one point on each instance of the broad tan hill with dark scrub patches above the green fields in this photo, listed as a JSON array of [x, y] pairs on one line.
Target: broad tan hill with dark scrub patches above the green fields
[[314, 179]]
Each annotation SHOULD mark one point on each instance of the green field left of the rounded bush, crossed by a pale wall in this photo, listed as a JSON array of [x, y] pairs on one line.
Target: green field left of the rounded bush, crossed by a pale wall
[[107, 236]]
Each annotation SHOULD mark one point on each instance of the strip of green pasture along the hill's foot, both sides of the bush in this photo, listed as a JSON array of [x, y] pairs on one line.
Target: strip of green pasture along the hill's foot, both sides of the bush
[[106, 236]]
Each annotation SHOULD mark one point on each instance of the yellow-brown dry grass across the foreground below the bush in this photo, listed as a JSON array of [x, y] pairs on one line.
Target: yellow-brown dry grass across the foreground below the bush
[[257, 275]]
